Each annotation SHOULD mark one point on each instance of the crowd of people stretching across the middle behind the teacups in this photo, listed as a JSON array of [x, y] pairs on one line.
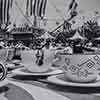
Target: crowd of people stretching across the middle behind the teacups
[[71, 47]]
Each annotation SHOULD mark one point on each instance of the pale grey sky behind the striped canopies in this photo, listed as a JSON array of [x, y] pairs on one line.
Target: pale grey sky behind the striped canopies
[[85, 7]]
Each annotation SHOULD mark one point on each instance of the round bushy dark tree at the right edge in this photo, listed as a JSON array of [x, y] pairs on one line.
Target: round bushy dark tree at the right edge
[[90, 30]]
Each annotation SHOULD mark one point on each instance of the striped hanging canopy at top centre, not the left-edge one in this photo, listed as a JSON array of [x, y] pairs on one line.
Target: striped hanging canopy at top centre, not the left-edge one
[[36, 7]]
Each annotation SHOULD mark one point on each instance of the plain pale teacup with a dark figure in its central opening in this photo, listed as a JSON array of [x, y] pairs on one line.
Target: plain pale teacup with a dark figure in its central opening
[[29, 60]]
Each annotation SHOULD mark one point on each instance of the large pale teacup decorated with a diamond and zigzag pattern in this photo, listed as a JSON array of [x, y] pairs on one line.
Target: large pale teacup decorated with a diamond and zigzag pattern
[[80, 67]]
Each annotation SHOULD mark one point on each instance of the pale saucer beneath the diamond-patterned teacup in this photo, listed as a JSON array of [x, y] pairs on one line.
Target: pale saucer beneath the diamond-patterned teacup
[[62, 81]]
